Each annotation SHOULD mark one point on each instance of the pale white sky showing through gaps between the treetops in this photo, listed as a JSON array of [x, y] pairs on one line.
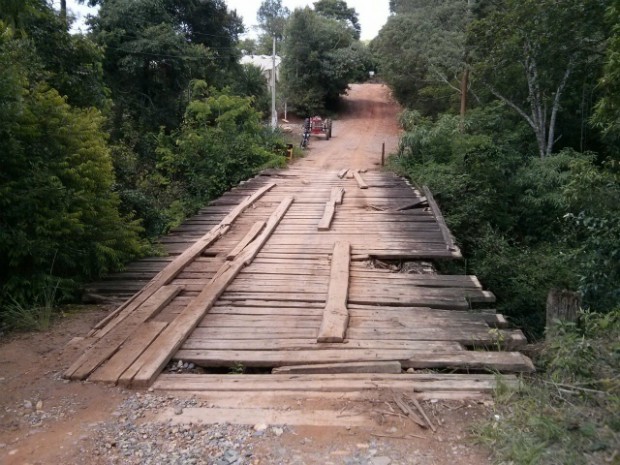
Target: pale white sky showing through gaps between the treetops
[[372, 13]]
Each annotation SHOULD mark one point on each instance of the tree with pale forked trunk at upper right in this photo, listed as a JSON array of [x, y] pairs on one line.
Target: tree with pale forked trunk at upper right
[[526, 52]]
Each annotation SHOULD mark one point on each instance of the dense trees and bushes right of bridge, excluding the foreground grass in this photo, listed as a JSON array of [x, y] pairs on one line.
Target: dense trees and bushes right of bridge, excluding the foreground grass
[[528, 184]]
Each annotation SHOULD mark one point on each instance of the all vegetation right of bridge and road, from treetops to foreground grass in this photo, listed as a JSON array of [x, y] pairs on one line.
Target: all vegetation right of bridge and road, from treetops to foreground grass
[[511, 118]]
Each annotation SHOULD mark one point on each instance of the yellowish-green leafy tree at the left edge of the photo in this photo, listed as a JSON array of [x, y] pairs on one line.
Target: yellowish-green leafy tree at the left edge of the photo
[[59, 214]]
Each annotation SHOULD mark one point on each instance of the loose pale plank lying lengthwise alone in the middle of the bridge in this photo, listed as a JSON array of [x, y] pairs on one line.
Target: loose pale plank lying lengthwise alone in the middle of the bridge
[[336, 316]]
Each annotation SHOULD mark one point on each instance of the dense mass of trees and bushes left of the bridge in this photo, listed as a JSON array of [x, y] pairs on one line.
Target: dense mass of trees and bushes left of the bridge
[[110, 139]]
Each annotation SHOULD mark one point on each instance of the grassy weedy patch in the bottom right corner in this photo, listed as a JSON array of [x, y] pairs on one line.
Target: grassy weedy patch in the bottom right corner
[[569, 412]]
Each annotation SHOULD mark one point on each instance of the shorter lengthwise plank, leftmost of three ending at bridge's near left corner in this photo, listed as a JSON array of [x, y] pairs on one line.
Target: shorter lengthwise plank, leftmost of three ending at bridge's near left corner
[[104, 347]]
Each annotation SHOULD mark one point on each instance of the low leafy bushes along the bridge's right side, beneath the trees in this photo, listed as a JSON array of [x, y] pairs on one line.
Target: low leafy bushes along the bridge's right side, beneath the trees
[[525, 224]]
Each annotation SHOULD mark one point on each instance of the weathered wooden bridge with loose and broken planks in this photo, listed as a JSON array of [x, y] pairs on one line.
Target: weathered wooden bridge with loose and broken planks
[[314, 280]]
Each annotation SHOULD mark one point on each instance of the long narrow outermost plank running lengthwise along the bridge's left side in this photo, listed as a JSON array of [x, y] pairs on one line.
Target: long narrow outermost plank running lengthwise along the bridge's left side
[[166, 276]]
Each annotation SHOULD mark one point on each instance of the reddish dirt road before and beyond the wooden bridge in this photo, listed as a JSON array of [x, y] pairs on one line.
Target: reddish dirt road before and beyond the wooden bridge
[[46, 420]]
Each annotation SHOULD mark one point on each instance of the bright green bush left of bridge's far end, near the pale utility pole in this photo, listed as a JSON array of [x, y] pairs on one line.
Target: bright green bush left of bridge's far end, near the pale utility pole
[[221, 143]]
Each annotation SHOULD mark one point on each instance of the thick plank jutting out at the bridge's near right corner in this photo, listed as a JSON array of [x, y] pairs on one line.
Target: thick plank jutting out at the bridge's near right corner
[[511, 362]]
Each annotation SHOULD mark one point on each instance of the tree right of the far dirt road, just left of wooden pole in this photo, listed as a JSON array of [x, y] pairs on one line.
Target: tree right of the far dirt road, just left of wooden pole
[[422, 53]]
